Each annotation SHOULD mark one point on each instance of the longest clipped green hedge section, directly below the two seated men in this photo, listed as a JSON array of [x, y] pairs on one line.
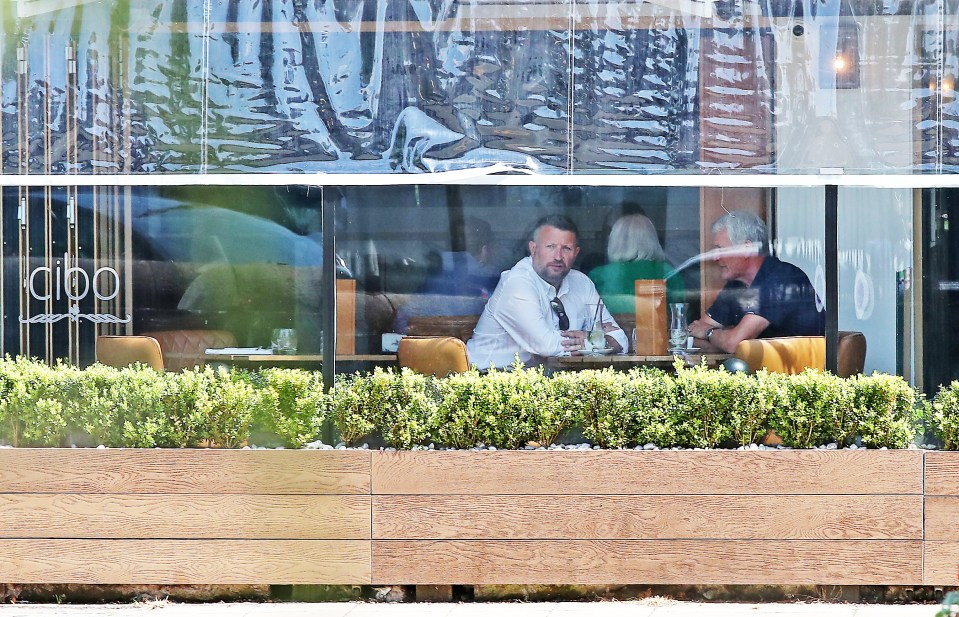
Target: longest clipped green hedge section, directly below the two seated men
[[695, 408]]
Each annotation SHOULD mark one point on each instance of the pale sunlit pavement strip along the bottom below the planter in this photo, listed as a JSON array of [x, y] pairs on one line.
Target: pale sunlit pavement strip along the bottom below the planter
[[653, 607]]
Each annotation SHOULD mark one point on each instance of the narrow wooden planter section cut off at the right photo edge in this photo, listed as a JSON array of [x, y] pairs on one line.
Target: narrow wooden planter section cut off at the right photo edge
[[941, 548]]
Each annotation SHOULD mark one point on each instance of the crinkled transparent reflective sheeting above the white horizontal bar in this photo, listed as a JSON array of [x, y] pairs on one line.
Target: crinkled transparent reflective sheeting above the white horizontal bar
[[790, 86]]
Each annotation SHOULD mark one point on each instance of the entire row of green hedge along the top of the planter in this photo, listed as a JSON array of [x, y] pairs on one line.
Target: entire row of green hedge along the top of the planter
[[693, 408]]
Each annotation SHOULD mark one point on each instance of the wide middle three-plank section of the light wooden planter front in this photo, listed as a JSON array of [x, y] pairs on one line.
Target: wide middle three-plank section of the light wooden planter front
[[702, 517]]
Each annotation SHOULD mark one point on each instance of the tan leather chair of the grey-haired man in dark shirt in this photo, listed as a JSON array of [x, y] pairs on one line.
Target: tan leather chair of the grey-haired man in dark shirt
[[793, 354]]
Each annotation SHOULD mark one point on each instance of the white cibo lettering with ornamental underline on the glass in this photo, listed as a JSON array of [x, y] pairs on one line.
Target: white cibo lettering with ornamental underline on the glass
[[74, 284]]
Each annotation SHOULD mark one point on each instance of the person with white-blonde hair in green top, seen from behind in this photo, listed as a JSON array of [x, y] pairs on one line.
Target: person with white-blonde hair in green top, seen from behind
[[634, 254]]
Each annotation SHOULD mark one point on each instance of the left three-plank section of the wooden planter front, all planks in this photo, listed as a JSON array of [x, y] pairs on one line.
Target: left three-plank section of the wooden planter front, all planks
[[185, 516]]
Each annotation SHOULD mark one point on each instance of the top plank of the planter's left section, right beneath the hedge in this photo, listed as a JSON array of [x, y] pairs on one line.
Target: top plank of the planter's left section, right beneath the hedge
[[63, 470]]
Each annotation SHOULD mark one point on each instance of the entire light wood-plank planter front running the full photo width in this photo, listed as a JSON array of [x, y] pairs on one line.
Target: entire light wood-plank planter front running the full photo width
[[437, 518]]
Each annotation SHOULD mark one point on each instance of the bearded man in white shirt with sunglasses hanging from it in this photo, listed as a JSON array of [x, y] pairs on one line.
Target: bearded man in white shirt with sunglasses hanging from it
[[541, 306]]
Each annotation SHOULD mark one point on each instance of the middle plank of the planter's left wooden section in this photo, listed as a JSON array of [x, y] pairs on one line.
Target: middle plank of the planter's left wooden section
[[300, 517]]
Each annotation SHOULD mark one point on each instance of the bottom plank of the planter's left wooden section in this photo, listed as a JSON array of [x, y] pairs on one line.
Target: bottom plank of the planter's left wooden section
[[176, 562]]
